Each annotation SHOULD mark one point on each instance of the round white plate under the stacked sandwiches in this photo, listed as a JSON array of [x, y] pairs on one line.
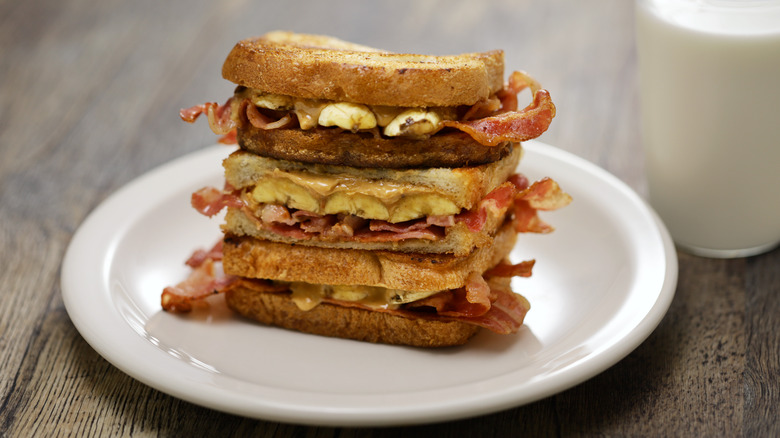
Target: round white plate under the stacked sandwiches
[[602, 282]]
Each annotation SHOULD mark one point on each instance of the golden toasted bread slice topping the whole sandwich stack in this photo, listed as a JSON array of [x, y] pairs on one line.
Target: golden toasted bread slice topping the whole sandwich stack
[[318, 67]]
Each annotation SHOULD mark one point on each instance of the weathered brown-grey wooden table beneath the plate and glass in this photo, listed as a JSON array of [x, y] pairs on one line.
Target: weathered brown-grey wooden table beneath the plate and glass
[[89, 95]]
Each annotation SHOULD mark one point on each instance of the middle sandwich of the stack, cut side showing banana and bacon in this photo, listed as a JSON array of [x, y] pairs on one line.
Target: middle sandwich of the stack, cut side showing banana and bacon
[[335, 206]]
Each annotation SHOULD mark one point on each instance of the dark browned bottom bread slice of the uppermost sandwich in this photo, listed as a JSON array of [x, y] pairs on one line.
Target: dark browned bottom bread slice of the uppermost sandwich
[[364, 149]]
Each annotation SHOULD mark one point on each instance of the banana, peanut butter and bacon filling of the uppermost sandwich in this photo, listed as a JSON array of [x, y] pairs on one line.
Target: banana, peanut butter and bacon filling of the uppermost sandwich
[[490, 122]]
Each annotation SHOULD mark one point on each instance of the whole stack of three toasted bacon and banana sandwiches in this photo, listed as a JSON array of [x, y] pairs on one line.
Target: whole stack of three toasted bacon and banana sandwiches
[[373, 195]]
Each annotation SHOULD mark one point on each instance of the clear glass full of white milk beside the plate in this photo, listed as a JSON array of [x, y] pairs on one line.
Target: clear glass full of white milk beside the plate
[[709, 74]]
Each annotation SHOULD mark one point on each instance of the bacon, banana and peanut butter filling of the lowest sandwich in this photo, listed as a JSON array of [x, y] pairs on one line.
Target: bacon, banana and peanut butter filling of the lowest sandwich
[[485, 300]]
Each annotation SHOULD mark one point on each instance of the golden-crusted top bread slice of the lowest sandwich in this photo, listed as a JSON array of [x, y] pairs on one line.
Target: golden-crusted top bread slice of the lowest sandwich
[[255, 258]]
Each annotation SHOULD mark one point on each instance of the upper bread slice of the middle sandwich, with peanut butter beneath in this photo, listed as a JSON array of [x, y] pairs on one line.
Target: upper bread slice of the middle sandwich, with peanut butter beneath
[[463, 186]]
